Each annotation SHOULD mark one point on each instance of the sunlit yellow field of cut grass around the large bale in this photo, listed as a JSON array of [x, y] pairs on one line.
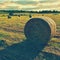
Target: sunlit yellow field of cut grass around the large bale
[[12, 29]]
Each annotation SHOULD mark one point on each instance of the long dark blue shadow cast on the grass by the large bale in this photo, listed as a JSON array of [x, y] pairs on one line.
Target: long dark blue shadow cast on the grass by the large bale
[[27, 50]]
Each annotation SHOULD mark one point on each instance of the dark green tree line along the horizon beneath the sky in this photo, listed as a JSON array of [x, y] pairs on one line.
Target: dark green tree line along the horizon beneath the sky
[[21, 11]]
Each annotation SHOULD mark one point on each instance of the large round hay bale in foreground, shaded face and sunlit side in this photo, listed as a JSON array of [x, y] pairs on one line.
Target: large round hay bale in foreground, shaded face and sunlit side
[[40, 29]]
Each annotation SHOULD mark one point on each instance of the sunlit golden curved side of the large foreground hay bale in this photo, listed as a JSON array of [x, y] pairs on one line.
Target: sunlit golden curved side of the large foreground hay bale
[[52, 25]]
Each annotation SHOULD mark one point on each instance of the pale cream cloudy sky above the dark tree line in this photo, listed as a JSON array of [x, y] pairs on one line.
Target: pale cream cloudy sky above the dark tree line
[[35, 5]]
